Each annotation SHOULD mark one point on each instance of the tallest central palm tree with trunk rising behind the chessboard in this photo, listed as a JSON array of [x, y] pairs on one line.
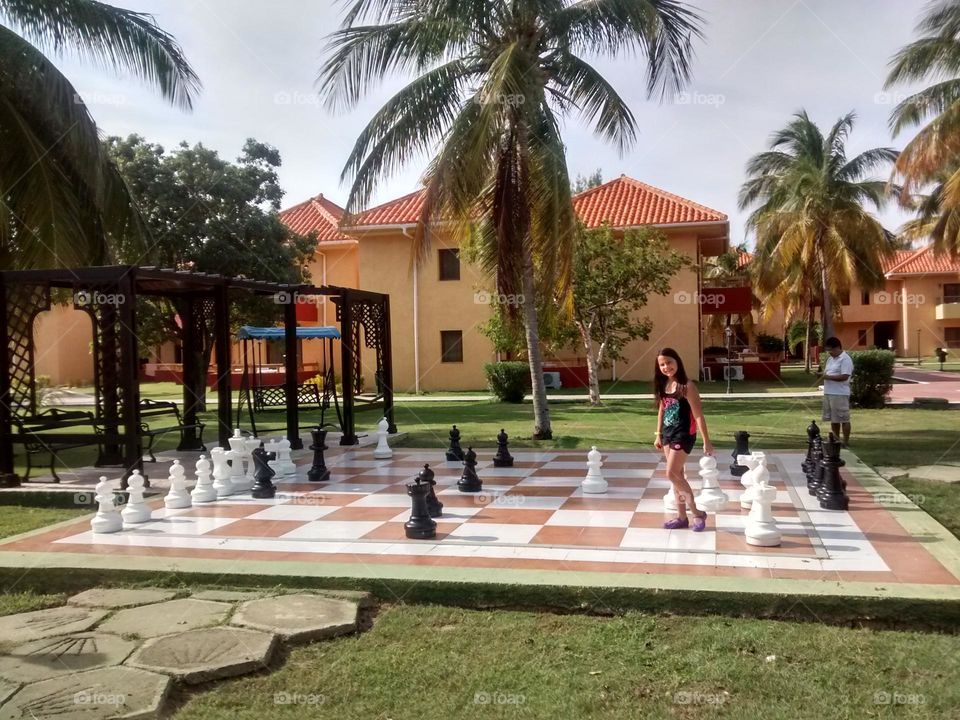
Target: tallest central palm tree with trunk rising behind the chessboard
[[492, 80]]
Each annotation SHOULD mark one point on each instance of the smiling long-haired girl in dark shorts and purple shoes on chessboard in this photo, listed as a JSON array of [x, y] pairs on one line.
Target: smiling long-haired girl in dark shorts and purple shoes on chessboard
[[679, 415]]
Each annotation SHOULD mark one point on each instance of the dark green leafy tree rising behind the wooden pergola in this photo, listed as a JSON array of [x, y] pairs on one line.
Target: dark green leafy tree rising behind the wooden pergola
[[210, 215]]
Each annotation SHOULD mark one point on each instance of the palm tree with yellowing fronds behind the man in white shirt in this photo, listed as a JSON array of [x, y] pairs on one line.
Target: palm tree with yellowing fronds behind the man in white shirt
[[810, 214]]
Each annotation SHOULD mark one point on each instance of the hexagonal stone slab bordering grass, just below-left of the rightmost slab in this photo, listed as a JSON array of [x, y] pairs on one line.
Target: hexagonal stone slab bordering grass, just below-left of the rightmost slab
[[211, 653]]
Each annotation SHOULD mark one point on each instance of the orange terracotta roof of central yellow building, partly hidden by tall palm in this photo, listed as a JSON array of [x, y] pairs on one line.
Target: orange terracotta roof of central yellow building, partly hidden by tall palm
[[623, 202]]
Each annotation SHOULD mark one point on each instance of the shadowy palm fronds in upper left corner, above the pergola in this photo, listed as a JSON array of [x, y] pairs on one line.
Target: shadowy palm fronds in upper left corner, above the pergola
[[62, 201]]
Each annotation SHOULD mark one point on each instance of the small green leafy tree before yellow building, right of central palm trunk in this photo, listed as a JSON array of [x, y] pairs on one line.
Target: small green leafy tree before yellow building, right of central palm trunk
[[613, 278]]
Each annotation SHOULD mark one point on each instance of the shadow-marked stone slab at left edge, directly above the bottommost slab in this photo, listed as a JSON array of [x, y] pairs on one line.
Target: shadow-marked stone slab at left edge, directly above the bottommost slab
[[52, 657]]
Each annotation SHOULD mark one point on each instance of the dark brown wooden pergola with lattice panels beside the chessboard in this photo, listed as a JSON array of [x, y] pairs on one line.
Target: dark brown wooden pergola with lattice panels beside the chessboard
[[109, 295]]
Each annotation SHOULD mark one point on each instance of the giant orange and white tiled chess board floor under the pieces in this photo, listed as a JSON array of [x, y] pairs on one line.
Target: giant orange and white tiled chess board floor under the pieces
[[532, 516]]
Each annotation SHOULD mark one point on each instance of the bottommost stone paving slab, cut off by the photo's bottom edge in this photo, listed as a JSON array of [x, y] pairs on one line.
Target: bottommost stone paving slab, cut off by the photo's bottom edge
[[115, 692]]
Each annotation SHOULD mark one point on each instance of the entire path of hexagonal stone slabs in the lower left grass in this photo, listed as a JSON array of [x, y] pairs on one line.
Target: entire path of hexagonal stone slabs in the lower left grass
[[119, 652]]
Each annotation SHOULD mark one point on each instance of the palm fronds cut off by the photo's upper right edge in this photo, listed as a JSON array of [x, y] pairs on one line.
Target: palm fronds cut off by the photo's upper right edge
[[933, 155]]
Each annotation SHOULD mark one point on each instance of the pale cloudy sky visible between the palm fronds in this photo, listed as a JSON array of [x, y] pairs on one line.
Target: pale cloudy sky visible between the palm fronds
[[761, 61]]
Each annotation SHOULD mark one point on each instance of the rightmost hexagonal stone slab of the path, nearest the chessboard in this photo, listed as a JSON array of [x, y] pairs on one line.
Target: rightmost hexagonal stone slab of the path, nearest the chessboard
[[299, 618]]
